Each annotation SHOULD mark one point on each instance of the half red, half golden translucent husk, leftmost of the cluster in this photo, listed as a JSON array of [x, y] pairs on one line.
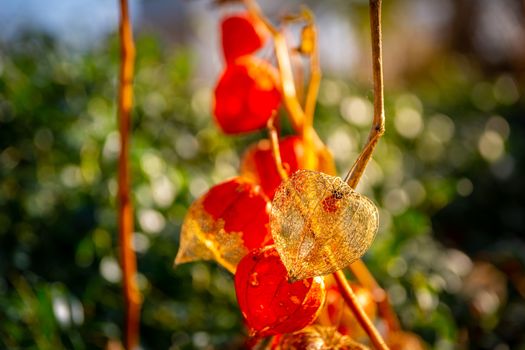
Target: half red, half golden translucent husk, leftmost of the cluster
[[225, 224]]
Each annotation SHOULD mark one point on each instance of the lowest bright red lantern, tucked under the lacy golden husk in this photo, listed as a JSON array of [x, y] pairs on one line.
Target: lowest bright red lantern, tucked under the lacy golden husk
[[271, 304]]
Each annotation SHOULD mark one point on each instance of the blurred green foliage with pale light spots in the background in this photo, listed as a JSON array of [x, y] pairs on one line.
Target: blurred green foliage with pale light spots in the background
[[449, 167]]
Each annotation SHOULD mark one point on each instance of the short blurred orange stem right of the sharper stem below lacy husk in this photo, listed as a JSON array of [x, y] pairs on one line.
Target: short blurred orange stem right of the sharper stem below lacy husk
[[366, 279]]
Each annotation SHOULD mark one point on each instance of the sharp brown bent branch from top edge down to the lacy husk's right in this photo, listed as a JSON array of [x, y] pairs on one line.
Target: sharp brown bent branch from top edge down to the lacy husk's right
[[378, 124]]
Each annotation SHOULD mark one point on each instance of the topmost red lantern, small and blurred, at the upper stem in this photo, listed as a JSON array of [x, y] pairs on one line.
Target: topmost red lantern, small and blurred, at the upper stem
[[241, 35]]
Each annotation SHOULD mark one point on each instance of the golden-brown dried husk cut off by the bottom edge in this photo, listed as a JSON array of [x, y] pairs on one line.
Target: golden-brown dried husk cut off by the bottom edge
[[317, 338]]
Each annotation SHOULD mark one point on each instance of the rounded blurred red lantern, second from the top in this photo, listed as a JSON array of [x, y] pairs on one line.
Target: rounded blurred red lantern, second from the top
[[246, 95]]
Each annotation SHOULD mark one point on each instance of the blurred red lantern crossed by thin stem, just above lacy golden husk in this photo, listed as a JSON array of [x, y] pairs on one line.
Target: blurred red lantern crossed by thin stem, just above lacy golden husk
[[258, 163]]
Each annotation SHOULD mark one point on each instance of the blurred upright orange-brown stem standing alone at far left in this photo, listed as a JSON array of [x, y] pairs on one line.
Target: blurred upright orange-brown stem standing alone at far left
[[131, 292]]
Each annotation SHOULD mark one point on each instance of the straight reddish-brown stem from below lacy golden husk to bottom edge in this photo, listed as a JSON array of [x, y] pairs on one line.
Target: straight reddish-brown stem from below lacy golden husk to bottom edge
[[357, 310]]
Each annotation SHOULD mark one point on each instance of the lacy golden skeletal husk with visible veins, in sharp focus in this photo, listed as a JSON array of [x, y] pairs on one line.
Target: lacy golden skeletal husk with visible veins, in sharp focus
[[320, 224]]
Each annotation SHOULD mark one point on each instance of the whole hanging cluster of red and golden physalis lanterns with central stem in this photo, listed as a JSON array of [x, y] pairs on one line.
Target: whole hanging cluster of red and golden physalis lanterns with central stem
[[285, 222]]
